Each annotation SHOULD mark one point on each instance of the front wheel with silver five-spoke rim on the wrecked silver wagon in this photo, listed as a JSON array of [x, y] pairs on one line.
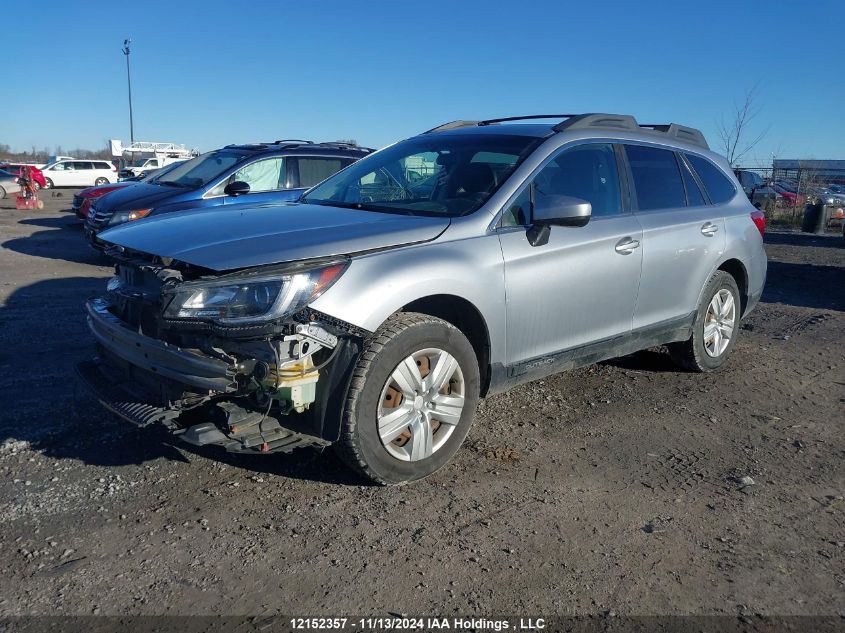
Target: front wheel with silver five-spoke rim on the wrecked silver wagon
[[411, 401]]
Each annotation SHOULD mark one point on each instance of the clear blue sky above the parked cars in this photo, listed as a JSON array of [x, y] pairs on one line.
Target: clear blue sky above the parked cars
[[211, 73]]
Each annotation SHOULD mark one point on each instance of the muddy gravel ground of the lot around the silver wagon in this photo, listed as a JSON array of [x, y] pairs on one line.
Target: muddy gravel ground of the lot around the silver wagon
[[627, 486]]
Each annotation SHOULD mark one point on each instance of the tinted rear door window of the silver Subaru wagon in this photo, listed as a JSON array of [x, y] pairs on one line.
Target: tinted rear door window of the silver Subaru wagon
[[657, 178]]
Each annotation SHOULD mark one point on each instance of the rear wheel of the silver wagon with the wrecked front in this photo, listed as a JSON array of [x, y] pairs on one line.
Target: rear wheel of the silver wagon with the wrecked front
[[715, 329]]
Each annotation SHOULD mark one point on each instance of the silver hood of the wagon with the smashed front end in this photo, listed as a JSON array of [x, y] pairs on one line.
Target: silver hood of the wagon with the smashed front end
[[225, 238]]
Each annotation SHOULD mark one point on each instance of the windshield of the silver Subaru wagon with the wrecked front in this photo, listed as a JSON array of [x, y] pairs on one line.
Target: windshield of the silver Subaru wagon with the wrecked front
[[436, 174]]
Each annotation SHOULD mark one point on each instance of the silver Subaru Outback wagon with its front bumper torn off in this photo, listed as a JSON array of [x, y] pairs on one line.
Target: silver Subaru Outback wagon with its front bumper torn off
[[373, 313]]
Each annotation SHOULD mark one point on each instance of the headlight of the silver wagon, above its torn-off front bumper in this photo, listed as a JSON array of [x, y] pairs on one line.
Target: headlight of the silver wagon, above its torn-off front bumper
[[251, 299]]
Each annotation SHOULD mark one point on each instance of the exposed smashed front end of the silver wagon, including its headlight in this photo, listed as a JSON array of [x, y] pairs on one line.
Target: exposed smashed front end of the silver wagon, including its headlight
[[237, 359]]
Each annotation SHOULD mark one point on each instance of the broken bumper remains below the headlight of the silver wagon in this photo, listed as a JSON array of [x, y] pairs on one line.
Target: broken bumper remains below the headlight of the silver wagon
[[207, 399]]
